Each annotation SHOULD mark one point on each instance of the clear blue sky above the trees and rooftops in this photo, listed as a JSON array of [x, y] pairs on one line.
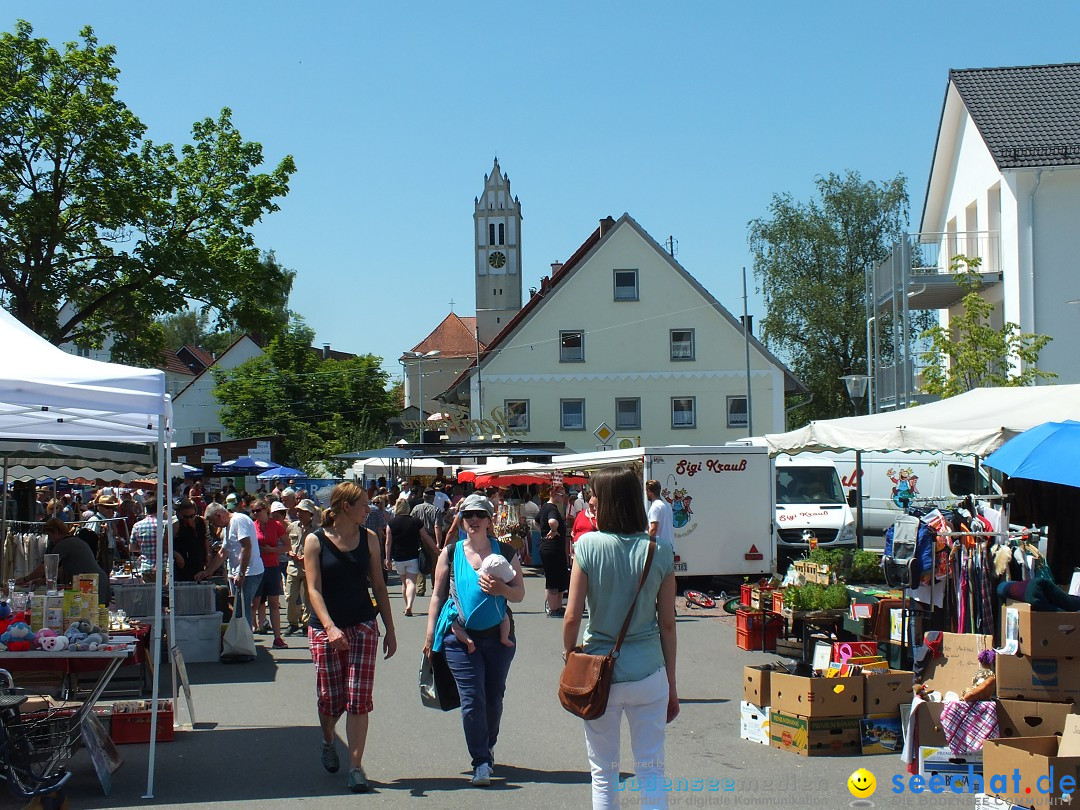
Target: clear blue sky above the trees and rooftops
[[690, 116]]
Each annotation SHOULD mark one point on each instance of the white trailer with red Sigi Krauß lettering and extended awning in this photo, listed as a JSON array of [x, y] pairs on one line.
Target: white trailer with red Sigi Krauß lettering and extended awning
[[722, 499]]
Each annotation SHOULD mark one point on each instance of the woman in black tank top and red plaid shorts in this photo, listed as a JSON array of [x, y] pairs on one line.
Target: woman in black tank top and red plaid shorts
[[342, 562]]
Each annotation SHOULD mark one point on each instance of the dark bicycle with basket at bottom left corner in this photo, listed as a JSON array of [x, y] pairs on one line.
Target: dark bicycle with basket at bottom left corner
[[33, 747]]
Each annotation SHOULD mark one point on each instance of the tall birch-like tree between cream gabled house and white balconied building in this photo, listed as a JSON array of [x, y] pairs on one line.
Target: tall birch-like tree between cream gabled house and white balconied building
[[809, 260]]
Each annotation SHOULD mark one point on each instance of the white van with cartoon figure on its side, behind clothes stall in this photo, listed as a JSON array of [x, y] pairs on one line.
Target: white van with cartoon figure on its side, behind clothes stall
[[892, 481]]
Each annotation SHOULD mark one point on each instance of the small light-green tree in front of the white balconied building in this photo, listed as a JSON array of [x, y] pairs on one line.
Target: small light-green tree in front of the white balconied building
[[973, 354]]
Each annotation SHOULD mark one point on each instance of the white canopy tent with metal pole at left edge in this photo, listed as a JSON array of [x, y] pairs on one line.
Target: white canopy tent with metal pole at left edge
[[49, 395]]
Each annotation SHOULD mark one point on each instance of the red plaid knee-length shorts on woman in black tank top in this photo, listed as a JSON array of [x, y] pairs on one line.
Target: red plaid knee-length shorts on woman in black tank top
[[345, 679]]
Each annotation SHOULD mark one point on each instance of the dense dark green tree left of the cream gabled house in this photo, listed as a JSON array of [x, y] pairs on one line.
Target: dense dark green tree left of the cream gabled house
[[322, 408]]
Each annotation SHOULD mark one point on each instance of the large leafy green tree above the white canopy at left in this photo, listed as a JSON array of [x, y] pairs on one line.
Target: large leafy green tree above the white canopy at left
[[102, 232]]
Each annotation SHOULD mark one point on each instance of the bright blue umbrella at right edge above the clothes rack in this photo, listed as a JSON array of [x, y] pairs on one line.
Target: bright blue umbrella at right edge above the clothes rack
[[1045, 453]]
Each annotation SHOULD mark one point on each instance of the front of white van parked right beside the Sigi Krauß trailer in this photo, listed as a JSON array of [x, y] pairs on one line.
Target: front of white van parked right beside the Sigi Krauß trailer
[[811, 498]]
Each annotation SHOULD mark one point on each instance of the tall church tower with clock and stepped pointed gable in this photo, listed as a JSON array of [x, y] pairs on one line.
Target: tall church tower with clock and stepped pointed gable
[[498, 234]]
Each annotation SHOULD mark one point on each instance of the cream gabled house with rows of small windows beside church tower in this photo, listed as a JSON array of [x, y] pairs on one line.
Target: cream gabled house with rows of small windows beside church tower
[[622, 334]]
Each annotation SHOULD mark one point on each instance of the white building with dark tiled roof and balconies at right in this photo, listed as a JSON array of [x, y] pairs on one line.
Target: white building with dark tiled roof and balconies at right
[[1004, 187]]
